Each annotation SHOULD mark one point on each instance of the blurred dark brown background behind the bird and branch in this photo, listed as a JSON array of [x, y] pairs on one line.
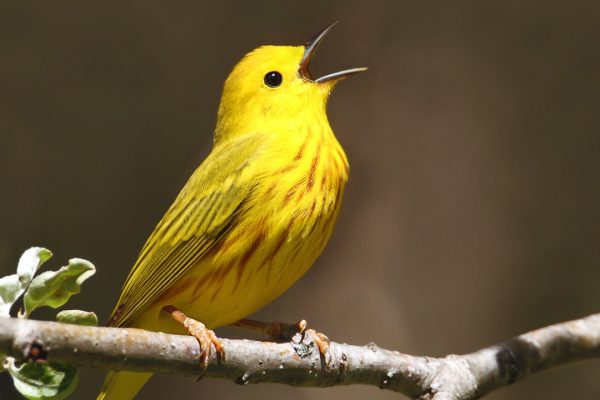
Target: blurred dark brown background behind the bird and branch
[[473, 209]]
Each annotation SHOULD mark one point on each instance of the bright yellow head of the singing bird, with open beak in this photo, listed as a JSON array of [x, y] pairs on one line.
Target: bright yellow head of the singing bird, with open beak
[[272, 87]]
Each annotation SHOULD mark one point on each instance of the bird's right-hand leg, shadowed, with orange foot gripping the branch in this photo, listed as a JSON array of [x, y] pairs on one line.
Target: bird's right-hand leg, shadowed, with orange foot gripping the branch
[[282, 330]]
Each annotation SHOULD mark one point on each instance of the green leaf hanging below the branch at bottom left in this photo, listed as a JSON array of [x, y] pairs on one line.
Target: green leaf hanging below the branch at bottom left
[[36, 381]]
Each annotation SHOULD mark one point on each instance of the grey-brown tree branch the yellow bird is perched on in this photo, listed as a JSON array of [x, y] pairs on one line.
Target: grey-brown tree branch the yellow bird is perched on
[[455, 377]]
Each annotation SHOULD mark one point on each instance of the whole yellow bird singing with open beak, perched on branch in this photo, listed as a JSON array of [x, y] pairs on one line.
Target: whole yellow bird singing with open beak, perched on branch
[[252, 218]]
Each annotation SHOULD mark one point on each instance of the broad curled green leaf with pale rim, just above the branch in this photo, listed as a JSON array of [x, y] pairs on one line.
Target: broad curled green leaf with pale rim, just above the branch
[[54, 288]]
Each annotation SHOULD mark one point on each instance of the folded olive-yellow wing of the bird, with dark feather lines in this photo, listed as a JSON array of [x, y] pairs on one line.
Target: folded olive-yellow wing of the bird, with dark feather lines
[[206, 208]]
